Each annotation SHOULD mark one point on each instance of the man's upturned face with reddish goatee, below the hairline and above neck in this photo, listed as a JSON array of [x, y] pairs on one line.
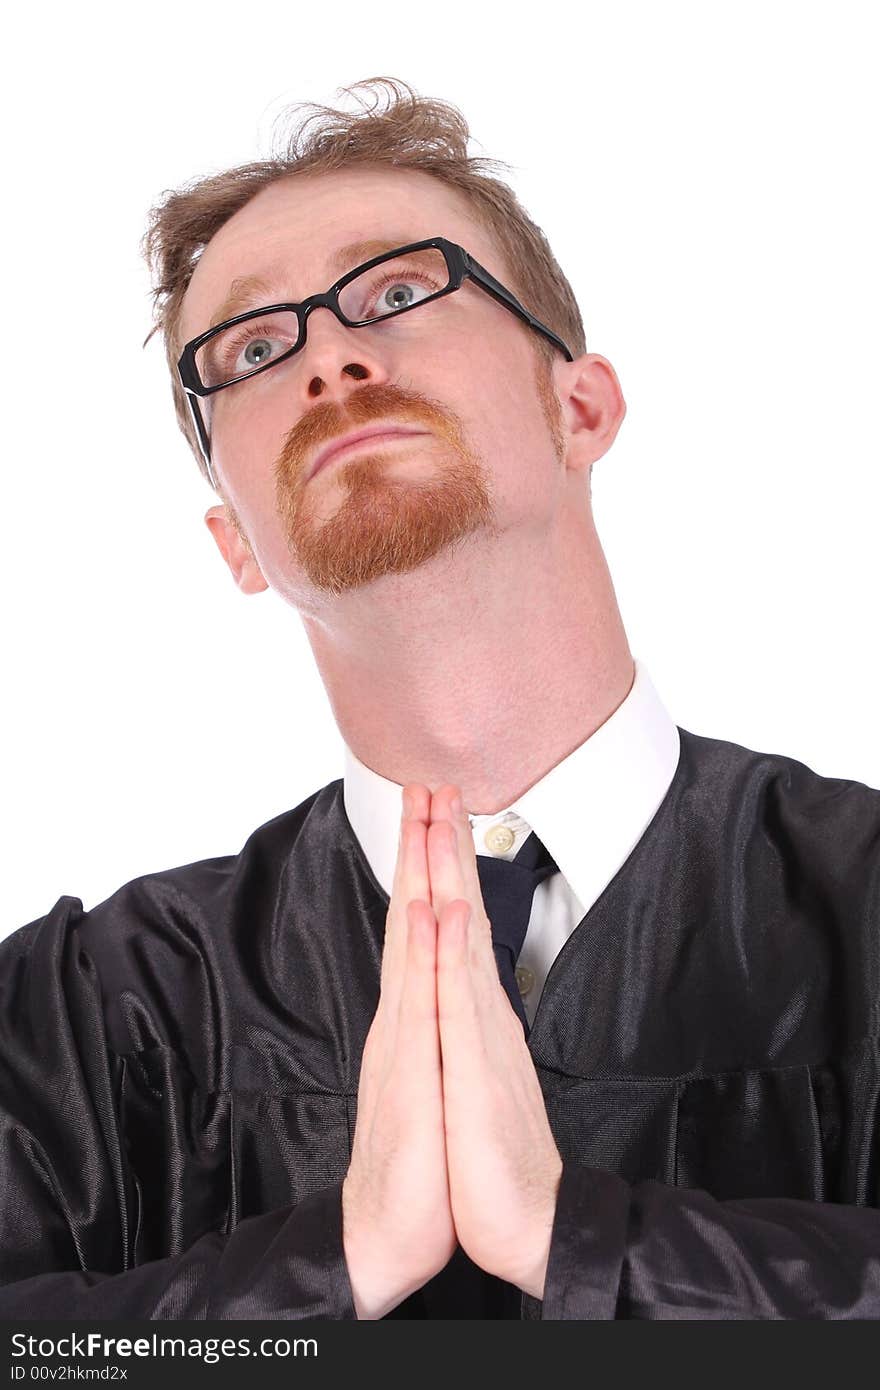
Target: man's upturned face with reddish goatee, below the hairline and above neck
[[462, 373]]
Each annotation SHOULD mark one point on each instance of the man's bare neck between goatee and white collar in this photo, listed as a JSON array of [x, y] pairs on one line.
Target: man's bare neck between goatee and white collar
[[486, 668]]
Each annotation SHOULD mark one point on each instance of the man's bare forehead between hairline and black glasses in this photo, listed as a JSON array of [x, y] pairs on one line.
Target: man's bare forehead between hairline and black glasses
[[291, 231]]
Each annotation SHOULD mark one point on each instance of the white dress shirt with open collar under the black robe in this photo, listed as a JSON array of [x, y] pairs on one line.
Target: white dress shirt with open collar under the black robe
[[590, 811]]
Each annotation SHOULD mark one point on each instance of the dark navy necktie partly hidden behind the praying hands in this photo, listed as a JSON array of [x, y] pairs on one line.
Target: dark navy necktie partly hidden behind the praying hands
[[508, 890]]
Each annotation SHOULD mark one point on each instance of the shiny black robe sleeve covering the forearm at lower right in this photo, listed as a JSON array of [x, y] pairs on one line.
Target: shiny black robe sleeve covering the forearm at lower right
[[654, 1252]]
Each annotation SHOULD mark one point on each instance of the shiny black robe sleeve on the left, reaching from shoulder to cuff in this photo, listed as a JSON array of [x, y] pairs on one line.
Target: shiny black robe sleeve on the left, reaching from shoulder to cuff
[[67, 1204]]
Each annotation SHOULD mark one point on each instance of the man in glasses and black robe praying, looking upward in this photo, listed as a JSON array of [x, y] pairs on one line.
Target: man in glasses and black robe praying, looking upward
[[548, 1008]]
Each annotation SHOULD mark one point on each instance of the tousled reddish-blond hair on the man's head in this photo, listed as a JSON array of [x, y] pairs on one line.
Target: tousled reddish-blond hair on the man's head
[[411, 133]]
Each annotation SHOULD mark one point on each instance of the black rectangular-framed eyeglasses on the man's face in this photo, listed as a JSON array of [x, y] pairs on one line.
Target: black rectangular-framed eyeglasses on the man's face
[[382, 288]]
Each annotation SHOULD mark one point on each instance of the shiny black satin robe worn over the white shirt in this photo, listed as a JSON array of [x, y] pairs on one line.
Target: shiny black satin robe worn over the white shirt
[[179, 1074]]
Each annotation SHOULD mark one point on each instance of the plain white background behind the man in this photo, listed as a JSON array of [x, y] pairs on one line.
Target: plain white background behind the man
[[707, 176]]
